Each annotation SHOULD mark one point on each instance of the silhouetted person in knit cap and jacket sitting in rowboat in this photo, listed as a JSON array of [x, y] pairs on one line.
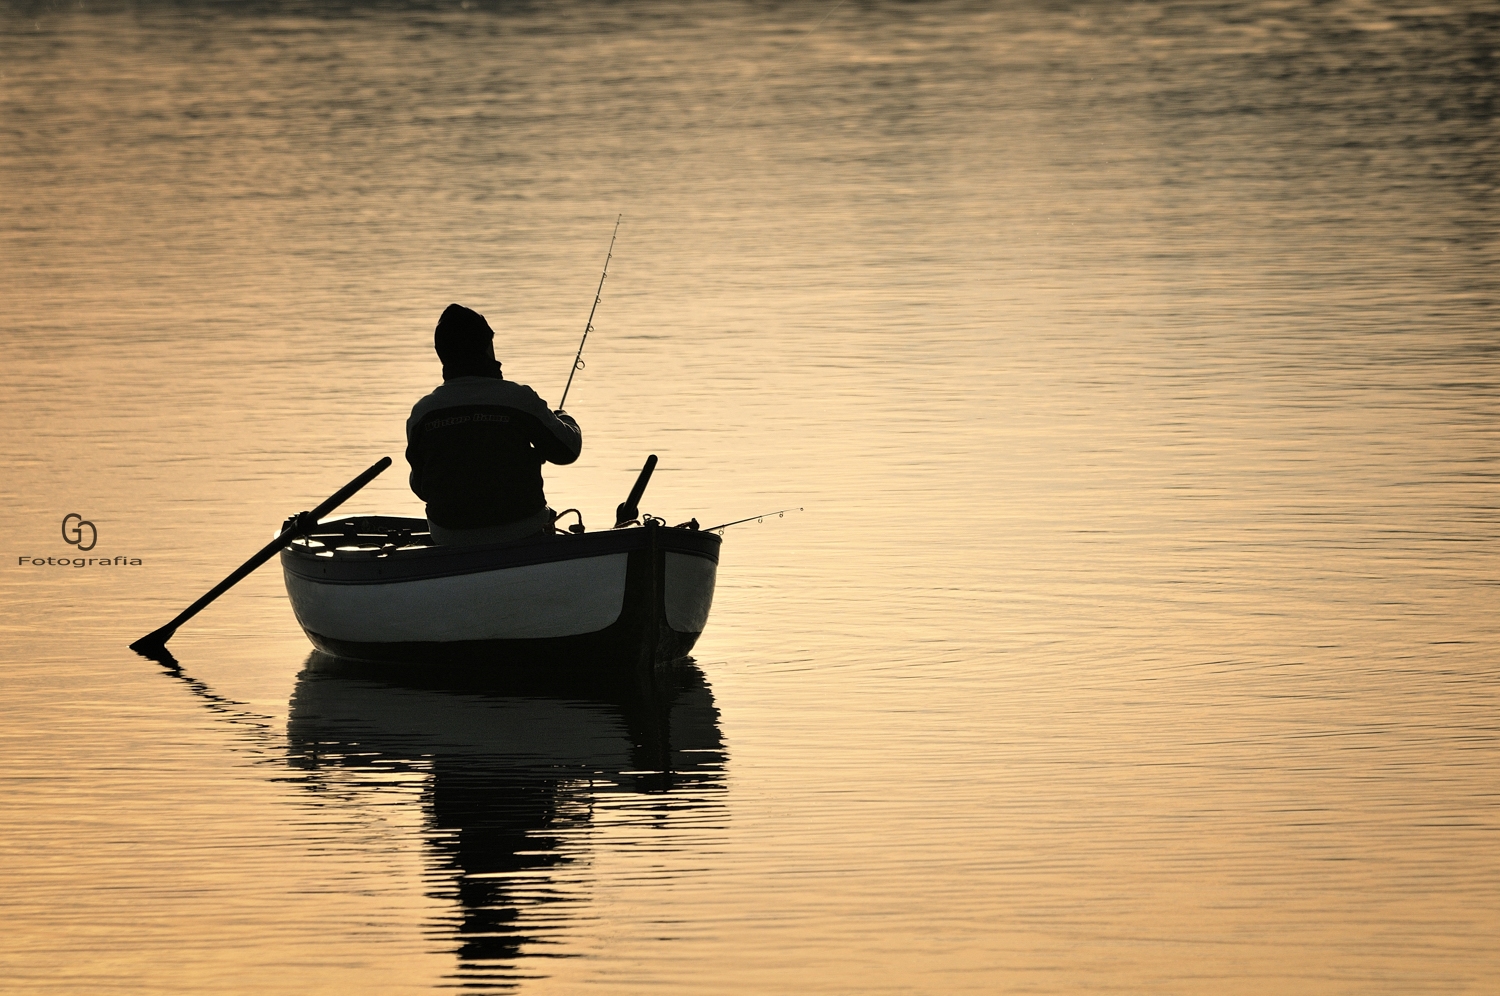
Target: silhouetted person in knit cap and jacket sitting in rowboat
[[478, 443]]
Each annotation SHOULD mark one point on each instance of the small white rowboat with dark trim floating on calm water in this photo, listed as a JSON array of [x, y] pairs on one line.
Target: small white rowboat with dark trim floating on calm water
[[377, 589]]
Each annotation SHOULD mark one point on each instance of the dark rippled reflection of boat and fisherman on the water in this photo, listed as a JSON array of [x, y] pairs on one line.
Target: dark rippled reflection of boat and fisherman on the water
[[511, 776]]
